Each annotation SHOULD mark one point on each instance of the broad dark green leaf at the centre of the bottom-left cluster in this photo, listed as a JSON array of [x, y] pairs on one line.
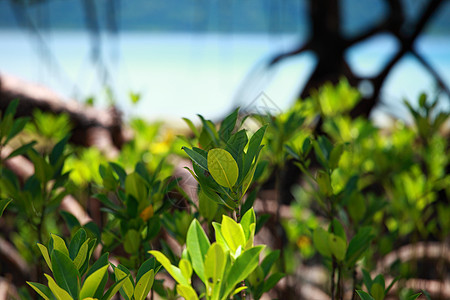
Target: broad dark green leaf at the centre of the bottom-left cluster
[[65, 273]]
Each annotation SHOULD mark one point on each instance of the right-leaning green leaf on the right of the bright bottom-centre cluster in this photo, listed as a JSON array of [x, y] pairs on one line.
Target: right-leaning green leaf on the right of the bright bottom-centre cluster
[[242, 267]]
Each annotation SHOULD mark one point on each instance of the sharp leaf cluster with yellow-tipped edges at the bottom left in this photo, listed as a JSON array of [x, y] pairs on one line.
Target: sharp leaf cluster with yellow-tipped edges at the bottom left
[[75, 279]]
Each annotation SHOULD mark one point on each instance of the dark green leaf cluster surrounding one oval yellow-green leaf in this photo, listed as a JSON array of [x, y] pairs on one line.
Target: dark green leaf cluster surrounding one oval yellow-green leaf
[[222, 168]]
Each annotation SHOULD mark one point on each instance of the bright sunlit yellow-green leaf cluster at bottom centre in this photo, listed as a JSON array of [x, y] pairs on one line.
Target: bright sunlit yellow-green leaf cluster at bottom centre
[[221, 265]]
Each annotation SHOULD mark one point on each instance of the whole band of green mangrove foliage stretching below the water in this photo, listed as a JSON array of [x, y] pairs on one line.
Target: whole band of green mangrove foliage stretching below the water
[[364, 191]]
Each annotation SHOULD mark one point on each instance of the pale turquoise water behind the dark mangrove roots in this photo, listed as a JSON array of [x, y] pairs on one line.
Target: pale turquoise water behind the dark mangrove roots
[[180, 75]]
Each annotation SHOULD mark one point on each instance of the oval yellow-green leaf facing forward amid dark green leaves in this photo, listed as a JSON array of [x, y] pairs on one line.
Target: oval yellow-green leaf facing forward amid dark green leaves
[[223, 167]]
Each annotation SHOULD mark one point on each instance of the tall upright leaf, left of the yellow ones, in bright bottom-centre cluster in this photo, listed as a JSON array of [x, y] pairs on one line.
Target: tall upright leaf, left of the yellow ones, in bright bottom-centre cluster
[[197, 244]]
